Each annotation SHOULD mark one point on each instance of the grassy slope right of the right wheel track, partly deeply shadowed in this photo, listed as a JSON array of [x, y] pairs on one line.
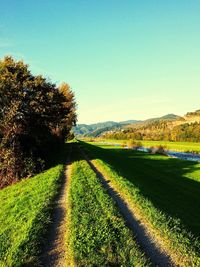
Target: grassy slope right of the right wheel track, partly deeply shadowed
[[164, 192]]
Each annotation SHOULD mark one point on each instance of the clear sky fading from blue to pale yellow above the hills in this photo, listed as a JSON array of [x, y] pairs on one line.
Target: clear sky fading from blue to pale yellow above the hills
[[127, 59]]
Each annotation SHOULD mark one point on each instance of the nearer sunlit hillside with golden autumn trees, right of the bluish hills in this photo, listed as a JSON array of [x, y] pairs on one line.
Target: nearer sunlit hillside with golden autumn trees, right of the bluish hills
[[169, 127]]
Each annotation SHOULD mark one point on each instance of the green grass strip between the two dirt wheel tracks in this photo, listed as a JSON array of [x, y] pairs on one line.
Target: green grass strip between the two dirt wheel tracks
[[98, 235]]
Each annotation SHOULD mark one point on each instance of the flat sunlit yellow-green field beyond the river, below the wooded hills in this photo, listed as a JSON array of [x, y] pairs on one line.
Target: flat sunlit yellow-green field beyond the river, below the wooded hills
[[176, 146]]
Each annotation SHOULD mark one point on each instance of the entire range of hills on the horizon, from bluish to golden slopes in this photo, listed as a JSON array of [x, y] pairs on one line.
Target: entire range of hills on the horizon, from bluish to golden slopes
[[154, 128]]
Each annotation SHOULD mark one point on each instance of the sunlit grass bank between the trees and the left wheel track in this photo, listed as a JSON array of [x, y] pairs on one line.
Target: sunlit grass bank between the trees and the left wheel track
[[24, 216]]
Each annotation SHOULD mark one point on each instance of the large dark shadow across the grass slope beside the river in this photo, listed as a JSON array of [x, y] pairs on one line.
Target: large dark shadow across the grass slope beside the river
[[164, 181]]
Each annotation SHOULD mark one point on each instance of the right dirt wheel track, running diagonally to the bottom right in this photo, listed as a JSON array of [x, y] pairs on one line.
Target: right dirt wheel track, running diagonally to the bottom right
[[145, 241]]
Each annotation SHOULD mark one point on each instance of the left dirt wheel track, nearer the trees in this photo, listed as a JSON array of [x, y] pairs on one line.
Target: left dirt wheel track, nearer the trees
[[55, 249]]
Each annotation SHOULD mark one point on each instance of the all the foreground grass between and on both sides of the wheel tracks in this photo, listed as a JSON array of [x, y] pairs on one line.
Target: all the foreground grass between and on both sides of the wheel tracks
[[164, 193]]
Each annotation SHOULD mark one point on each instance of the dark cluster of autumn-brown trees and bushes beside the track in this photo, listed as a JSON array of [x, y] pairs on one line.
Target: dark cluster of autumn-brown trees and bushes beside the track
[[36, 117]]
